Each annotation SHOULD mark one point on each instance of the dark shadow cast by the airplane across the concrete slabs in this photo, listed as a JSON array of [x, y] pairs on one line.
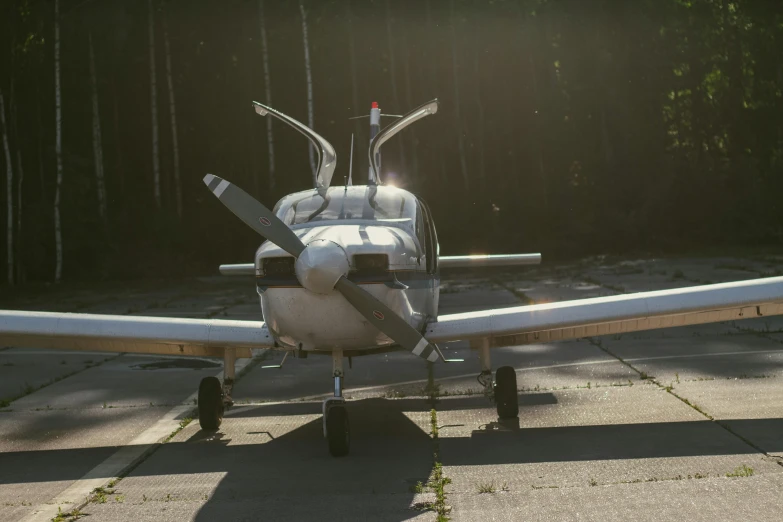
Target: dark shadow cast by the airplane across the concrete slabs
[[390, 453]]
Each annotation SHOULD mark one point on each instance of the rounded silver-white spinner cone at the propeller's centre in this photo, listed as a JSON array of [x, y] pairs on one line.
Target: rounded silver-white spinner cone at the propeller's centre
[[320, 265]]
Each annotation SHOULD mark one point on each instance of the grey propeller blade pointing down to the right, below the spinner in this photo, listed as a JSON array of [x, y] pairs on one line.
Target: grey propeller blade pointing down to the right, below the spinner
[[385, 320]]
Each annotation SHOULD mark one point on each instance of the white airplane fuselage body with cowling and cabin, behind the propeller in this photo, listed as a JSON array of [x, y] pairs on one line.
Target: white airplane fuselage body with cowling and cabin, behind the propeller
[[389, 241]]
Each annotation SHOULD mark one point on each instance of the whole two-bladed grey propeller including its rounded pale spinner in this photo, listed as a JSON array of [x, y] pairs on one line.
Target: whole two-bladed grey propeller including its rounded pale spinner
[[321, 266]]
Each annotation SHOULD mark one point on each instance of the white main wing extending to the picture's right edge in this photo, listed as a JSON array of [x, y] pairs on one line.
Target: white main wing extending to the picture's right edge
[[614, 314]]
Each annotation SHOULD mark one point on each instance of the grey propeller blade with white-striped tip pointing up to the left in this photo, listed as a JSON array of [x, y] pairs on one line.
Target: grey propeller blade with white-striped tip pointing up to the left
[[256, 215]]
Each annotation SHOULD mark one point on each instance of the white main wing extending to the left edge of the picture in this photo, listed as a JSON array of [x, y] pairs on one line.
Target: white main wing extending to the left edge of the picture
[[120, 333]]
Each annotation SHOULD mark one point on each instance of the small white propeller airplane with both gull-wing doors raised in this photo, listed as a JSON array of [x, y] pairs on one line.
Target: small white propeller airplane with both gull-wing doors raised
[[354, 270]]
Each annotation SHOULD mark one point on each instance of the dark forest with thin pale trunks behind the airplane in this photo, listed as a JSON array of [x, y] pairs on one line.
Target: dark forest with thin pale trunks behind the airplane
[[566, 126]]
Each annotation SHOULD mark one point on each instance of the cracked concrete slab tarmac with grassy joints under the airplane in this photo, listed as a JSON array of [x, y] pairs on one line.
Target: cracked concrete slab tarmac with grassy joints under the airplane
[[684, 422]]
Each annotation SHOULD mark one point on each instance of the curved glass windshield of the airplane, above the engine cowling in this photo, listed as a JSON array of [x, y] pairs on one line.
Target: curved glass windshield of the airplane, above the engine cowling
[[384, 204]]
